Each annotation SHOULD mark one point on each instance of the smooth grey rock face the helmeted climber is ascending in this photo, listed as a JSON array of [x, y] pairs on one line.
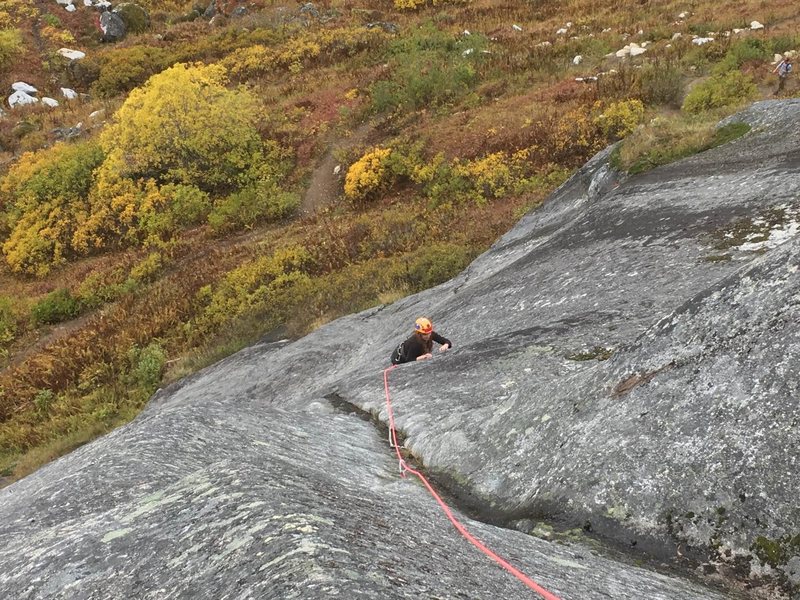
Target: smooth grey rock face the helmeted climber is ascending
[[244, 481]]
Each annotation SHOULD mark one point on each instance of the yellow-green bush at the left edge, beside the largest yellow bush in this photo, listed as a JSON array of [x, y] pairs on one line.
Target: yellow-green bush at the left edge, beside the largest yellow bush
[[42, 198]]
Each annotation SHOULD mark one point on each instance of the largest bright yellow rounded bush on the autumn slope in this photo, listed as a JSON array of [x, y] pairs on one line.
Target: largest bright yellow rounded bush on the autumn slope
[[184, 126]]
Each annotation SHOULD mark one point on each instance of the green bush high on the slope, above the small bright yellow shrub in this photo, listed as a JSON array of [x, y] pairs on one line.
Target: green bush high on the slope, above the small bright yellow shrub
[[427, 68]]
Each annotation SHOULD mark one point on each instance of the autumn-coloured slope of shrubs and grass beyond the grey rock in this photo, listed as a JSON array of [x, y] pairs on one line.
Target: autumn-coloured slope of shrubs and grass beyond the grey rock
[[166, 234]]
